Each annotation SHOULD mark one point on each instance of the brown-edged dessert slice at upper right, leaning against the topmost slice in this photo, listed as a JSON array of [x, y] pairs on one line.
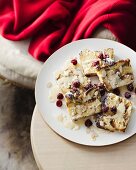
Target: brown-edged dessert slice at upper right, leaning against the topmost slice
[[116, 75]]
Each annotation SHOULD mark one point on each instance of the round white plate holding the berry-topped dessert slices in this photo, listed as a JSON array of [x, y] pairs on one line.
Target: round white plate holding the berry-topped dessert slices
[[49, 110]]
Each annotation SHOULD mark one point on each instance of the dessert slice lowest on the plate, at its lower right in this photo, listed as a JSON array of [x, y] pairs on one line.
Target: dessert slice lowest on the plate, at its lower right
[[116, 113]]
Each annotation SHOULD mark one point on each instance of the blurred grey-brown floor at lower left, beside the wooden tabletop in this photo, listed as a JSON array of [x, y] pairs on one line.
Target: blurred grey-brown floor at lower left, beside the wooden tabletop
[[16, 108]]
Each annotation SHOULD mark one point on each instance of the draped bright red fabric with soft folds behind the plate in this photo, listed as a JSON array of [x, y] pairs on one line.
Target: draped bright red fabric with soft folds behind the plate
[[54, 23]]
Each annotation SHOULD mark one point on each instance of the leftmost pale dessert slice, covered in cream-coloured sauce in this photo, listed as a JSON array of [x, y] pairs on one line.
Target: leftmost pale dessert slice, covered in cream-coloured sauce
[[71, 75]]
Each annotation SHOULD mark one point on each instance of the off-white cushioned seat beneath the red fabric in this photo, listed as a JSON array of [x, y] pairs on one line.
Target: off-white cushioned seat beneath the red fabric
[[18, 67]]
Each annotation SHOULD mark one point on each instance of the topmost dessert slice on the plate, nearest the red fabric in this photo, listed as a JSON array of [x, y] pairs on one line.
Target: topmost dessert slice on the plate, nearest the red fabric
[[90, 59]]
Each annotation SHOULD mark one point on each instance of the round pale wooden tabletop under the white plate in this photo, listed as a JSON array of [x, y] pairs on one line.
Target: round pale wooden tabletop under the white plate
[[53, 152]]
